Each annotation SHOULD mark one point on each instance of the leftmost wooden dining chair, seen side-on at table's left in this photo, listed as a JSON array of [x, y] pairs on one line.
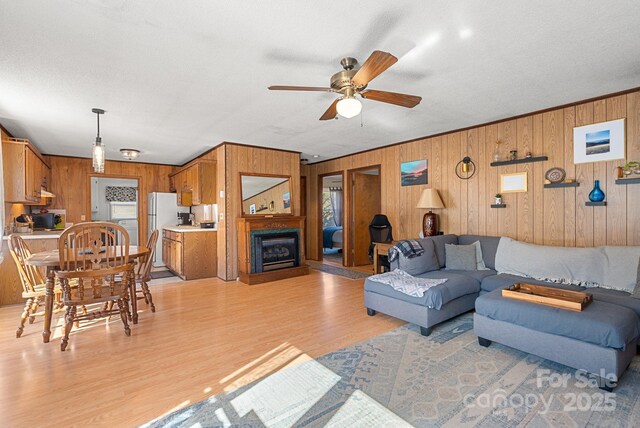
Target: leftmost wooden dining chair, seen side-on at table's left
[[33, 283]]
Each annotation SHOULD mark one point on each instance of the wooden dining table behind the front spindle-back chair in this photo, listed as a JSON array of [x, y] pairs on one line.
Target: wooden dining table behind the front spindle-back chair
[[51, 261]]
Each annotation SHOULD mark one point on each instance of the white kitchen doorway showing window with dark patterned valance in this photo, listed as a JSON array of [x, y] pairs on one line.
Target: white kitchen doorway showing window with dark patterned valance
[[116, 200]]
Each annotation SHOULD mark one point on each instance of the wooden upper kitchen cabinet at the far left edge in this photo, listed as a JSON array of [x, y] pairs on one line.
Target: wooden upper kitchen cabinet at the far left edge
[[26, 174]]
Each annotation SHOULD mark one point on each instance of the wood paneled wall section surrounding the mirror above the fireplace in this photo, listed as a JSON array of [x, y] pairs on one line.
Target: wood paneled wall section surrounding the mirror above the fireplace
[[233, 159]]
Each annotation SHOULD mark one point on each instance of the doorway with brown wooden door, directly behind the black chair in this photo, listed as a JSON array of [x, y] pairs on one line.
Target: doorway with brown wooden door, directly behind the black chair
[[365, 202]]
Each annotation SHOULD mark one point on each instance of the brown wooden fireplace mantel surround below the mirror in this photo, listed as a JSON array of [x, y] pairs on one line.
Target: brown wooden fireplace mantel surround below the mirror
[[248, 227]]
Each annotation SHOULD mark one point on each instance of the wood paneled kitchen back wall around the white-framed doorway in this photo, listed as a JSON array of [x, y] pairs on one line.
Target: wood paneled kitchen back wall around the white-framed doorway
[[70, 184]]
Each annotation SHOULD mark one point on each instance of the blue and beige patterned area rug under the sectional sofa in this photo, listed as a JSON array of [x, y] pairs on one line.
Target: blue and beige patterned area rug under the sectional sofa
[[404, 379]]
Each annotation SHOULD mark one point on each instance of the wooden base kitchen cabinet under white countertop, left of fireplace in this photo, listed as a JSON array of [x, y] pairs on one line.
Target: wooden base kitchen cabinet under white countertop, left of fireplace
[[191, 254]]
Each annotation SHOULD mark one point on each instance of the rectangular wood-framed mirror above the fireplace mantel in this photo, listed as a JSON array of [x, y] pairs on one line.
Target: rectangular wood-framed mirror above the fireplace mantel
[[266, 194]]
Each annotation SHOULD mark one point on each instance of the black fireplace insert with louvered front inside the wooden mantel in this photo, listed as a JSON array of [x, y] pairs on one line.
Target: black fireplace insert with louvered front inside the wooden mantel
[[275, 251]]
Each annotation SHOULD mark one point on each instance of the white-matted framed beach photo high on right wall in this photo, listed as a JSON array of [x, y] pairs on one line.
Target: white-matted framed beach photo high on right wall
[[599, 142]]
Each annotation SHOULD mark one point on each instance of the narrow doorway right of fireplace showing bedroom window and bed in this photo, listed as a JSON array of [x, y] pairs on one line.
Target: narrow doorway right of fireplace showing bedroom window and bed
[[331, 215]]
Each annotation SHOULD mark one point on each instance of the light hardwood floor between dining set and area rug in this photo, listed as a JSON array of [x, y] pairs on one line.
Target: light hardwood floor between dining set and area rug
[[206, 337]]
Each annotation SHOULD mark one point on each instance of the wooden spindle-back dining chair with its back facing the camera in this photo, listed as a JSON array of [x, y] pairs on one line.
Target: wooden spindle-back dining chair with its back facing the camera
[[96, 257]]
